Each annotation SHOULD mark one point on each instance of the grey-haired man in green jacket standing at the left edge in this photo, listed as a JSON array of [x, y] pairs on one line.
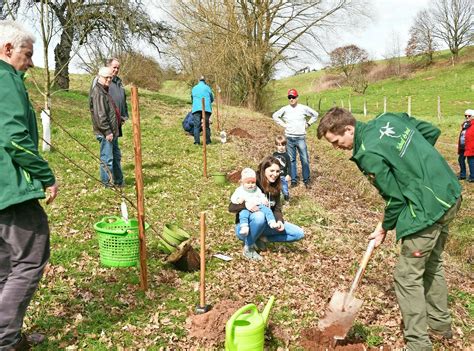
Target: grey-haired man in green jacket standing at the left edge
[[24, 177]]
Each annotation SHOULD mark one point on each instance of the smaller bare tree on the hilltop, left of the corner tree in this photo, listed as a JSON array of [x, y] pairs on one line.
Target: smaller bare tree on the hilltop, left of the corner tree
[[422, 42]]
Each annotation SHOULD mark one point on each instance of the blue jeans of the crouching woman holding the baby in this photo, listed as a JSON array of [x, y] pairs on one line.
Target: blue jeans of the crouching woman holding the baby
[[258, 226]]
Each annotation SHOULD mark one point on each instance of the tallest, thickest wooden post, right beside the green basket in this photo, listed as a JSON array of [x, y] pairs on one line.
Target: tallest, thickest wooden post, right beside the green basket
[[139, 187]]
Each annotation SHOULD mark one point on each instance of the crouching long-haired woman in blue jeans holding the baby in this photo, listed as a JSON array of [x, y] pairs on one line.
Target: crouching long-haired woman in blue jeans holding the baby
[[268, 180]]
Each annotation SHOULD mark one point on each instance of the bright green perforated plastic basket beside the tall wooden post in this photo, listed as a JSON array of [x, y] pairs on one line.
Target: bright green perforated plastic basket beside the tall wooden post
[[118, 241]]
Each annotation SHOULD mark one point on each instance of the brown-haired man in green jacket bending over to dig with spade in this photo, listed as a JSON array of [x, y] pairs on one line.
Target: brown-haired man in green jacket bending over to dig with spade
[[422, 195]]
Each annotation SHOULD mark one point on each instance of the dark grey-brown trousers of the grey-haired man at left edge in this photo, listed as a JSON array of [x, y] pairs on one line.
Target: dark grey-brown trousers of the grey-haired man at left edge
[[24, 252]]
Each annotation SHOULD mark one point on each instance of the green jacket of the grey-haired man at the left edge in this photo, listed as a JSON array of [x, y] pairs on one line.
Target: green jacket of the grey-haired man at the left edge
[[24, 174]]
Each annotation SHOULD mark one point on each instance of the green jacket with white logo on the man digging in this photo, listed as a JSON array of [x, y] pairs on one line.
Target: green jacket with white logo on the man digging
[[396, 152]]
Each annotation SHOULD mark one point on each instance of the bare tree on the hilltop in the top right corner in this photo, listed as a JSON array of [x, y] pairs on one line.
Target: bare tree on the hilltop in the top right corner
[[453, 23]]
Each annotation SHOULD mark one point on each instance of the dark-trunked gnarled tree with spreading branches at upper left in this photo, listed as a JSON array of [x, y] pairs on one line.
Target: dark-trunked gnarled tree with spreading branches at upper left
[[121, 21]]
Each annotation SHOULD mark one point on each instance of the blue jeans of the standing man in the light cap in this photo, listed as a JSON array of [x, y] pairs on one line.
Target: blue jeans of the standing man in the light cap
[[110, 157]]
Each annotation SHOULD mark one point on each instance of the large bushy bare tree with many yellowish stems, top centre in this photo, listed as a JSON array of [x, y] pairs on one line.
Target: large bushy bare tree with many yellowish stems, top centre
[[240, 42]]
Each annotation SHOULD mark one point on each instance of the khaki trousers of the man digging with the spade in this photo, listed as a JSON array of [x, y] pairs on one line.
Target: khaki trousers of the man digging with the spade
[[420, 284]]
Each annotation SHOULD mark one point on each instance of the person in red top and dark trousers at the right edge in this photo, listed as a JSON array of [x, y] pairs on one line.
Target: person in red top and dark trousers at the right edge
[[466, 146]]
